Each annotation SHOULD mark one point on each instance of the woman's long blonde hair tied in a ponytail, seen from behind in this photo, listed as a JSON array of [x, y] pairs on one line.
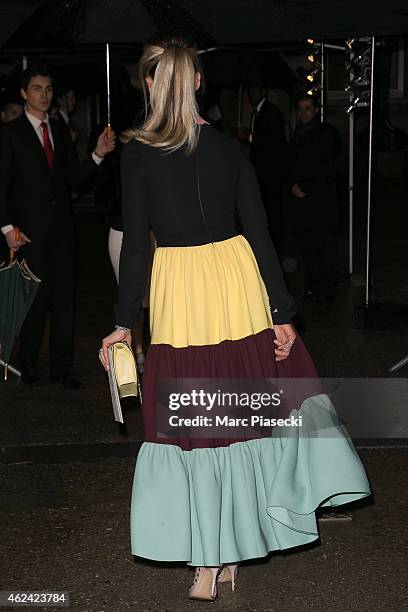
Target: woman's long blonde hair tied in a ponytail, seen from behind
[[171, 105]]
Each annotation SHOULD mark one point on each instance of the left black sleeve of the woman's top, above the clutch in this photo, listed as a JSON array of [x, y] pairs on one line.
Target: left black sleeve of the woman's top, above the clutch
[[135, 251]]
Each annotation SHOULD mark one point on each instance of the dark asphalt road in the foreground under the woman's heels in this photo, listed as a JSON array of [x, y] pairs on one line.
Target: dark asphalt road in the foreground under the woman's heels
[[66, 527]]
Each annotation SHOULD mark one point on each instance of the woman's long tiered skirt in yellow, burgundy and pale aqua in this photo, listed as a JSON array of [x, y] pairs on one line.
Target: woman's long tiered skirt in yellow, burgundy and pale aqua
[[212, 501]]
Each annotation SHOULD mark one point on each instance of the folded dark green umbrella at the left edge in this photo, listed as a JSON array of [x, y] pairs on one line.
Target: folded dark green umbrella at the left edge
[[18, 288]]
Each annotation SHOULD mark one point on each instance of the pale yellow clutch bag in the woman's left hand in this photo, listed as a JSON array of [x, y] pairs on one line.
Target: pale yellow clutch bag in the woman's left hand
[[122, 374]]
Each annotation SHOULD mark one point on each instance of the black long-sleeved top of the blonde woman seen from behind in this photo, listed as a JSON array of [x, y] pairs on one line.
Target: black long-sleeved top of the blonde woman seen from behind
[[205, 197]]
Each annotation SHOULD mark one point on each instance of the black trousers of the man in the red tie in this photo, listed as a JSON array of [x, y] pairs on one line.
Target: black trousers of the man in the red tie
[[54, 263]]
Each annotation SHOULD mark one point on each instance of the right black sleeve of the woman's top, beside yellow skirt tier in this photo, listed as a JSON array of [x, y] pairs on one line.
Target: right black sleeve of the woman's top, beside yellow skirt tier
[[254, 223]]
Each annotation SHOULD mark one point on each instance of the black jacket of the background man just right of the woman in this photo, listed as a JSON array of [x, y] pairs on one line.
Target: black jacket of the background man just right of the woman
[[269, 146]]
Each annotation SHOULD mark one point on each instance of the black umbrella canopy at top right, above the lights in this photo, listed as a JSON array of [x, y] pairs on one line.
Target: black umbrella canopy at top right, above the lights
[[266, 21]]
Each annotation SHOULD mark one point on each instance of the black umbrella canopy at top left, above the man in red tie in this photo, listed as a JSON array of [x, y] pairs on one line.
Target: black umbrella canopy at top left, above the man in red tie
[[63, 24]]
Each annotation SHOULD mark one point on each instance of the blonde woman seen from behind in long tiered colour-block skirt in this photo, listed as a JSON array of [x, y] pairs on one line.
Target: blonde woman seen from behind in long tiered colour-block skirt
[[219, 309]]
